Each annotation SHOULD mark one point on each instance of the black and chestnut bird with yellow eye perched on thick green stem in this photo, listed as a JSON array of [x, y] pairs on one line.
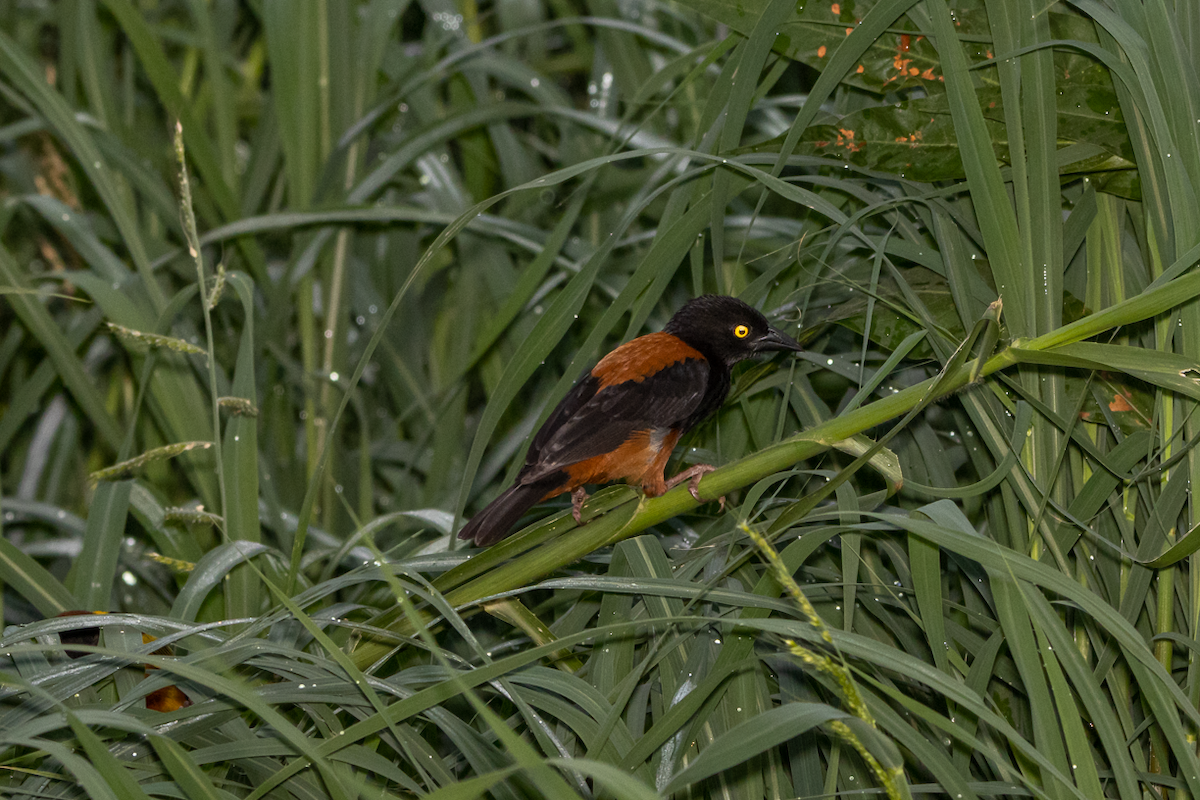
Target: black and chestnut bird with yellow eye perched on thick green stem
[[623, 418]]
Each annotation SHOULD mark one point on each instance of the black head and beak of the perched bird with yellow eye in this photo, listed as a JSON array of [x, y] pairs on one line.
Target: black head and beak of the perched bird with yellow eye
[[728, 329]]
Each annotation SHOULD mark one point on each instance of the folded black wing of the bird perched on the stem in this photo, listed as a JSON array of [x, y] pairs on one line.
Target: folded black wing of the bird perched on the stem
[[592, 422]]
